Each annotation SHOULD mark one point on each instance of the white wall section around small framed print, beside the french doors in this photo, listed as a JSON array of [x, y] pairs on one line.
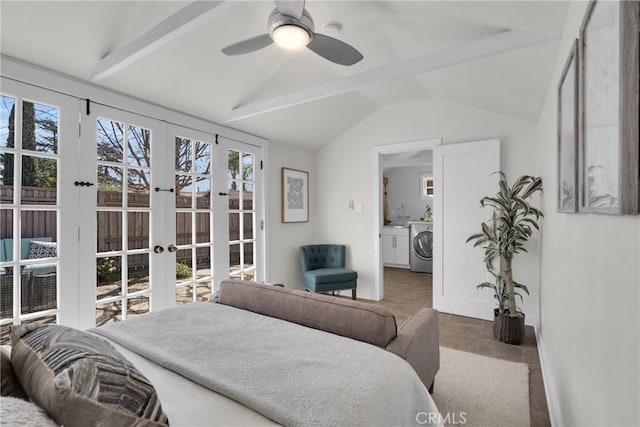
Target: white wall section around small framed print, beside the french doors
[[284, 240]]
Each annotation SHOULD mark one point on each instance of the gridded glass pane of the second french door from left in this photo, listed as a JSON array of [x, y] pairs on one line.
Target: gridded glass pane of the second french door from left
[[124, 158]]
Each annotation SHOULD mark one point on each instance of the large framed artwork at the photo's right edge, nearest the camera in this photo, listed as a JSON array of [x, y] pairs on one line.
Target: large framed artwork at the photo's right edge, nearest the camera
[[609, 148]]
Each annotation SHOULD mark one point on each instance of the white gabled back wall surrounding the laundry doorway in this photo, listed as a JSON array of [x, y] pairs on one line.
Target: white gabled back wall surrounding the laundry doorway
[[344, 168]]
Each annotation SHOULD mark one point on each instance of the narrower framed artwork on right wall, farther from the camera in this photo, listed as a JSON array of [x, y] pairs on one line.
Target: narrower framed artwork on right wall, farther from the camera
[[568, 134]]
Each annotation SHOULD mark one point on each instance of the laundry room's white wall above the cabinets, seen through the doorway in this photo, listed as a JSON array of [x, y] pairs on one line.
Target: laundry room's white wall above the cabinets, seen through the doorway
[[403, 189]]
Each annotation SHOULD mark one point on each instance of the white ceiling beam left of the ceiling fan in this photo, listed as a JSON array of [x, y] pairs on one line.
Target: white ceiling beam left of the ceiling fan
[[183, 21]]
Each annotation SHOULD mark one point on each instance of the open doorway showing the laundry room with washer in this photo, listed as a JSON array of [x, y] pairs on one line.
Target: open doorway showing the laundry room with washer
[[399, 169]]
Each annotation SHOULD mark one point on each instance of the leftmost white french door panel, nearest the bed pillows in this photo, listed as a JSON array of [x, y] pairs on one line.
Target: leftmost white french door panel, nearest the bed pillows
[[38, 153]]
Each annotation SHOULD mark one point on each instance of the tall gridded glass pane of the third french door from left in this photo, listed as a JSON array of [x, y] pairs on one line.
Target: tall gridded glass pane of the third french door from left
[[194, 216]]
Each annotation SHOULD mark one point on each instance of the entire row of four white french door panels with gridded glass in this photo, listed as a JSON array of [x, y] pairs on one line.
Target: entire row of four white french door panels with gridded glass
[[129, 215]]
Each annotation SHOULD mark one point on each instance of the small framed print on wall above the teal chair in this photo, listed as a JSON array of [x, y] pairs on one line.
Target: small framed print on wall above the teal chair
[[295, 195]]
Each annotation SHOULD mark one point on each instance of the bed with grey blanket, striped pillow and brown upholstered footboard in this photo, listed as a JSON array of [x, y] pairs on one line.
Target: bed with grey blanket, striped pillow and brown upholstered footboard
[[252, 358]]
